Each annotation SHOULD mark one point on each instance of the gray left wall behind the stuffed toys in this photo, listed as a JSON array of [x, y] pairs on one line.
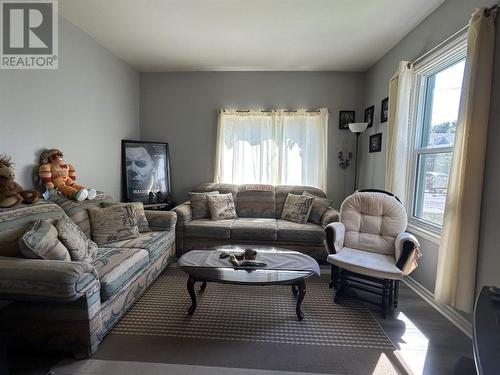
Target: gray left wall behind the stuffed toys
[[84, 108]]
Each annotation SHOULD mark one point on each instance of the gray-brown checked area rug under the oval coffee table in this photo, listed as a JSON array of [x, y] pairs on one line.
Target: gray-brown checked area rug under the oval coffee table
[[264, 314]]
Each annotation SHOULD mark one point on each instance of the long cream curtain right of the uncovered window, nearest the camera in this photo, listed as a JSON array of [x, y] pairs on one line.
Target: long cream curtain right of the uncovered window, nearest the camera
[[456, 273]]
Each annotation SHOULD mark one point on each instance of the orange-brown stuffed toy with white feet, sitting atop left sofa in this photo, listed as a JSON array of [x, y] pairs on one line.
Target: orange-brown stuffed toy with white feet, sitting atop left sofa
[[56, 175]]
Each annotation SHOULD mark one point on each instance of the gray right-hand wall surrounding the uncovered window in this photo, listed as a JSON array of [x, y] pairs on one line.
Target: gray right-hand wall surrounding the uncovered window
[[446, 20]]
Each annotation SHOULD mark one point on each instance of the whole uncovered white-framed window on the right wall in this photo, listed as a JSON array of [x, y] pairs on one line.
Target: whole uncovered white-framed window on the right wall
[[437, 91]]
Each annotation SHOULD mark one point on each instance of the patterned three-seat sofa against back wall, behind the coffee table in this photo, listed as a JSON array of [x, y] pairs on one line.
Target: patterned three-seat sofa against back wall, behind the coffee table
[[259, 210]]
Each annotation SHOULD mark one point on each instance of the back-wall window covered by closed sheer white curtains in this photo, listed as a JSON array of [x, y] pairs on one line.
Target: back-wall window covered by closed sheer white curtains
[[275, 147]]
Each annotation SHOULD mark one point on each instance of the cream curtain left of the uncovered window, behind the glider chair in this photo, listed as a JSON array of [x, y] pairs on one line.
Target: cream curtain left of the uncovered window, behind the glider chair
[[398, 146]]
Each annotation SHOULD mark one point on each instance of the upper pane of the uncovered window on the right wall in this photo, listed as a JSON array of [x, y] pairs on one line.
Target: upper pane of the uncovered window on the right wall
[[442, 103]]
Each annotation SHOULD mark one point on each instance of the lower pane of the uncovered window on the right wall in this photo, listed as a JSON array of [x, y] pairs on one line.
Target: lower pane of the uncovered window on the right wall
[[432, 182]]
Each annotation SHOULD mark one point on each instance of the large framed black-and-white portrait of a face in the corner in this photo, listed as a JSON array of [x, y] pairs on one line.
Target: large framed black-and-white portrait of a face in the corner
[[145, 172]]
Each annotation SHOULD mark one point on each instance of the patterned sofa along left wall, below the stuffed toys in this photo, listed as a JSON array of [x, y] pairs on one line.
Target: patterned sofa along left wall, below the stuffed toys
[[70, 306]]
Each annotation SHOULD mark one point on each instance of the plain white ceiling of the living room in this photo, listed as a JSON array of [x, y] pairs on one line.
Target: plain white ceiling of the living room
[[247, 35]]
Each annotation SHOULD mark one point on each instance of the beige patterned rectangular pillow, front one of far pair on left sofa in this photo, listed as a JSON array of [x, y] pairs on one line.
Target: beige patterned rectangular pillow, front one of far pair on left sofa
[[114, 223]]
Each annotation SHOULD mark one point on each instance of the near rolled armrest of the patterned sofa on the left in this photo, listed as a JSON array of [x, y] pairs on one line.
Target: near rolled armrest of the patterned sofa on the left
[[45, 280]]
